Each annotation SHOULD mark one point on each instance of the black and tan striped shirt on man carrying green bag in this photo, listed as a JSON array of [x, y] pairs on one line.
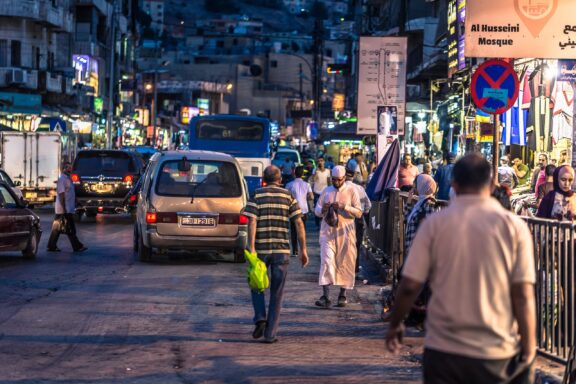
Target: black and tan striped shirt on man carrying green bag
[[273, 207]]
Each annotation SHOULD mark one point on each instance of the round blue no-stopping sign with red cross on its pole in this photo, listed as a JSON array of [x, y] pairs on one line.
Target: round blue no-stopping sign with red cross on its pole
[[494, 89]]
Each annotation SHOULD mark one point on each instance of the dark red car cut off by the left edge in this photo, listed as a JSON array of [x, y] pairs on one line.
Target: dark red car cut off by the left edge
[[19, 226]]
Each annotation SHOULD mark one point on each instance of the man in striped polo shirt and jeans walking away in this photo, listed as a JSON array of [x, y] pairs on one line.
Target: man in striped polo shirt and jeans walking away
[[270, 211]]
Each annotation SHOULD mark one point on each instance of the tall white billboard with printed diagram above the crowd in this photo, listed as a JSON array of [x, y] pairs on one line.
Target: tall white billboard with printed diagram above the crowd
[[381, 81]]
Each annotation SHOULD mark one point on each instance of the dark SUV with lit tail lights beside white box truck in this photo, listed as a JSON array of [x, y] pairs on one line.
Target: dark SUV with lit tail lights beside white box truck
[[103, 178]]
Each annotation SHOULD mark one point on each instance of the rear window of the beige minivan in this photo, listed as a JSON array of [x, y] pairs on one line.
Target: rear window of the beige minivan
[[204, 179]]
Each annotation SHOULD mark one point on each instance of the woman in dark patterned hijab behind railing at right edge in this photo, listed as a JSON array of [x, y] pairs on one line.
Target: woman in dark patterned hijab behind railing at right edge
[[560, 203]]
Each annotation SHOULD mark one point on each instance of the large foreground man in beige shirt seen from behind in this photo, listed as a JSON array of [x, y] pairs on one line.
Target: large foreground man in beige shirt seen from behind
[[478, 258]]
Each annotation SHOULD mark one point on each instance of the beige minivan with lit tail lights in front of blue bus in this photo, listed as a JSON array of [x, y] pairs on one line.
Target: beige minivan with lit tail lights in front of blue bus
[[191, 200]]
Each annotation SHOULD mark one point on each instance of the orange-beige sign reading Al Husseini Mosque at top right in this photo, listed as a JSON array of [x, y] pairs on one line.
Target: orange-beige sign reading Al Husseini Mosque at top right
[[521, 28]]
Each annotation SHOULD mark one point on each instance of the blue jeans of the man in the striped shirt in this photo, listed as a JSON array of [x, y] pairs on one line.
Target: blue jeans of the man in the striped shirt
[[277, 264]]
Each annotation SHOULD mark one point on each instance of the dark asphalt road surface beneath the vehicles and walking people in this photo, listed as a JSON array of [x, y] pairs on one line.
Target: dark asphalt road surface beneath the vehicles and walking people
[[104, 317]]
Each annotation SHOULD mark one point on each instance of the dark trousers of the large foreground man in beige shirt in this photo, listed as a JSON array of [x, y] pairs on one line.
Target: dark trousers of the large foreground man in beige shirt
[[447, 368]]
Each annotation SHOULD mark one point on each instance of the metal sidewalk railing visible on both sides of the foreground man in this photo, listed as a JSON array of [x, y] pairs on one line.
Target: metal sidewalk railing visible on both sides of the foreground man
[[554, 252]]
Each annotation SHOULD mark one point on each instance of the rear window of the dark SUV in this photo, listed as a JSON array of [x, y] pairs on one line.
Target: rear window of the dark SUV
[[108, 163]]
